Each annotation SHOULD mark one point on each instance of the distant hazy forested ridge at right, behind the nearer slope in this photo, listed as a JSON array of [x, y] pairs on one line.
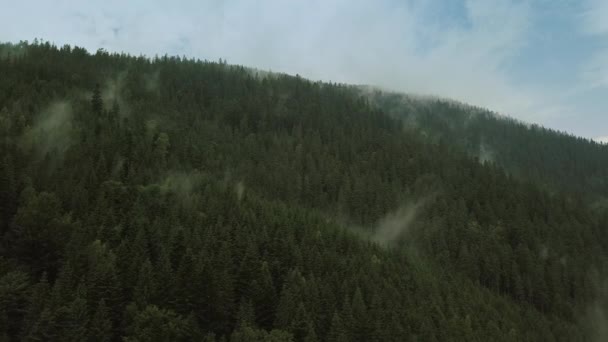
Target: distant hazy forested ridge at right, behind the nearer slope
[[555, 160]]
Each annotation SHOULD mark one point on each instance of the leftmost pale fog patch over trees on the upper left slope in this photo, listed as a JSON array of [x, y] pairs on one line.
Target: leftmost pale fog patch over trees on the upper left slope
[[51, 131]]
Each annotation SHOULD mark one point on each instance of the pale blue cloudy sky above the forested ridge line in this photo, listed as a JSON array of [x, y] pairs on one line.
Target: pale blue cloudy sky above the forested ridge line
[[542, 61]]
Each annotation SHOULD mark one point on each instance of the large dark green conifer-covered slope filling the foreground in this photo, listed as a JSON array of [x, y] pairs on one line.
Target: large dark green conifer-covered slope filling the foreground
[[172, 199]]
